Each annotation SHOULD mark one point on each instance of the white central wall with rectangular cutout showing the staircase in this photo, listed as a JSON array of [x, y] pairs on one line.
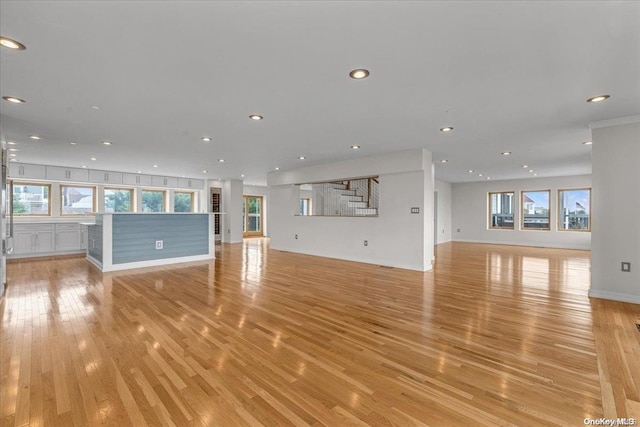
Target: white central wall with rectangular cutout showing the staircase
[[395, 238]]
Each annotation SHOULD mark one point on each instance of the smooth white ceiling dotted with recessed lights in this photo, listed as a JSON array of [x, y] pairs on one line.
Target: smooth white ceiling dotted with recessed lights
[[514, 76]]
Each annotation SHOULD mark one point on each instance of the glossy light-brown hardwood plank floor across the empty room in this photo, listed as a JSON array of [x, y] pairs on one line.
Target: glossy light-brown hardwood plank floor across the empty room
[[494, 335]]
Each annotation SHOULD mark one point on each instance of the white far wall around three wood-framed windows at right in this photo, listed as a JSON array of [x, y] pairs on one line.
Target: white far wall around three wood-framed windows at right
[[470, 213]]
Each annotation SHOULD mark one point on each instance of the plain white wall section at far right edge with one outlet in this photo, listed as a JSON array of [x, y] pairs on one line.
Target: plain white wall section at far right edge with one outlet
[[616, 205]]
